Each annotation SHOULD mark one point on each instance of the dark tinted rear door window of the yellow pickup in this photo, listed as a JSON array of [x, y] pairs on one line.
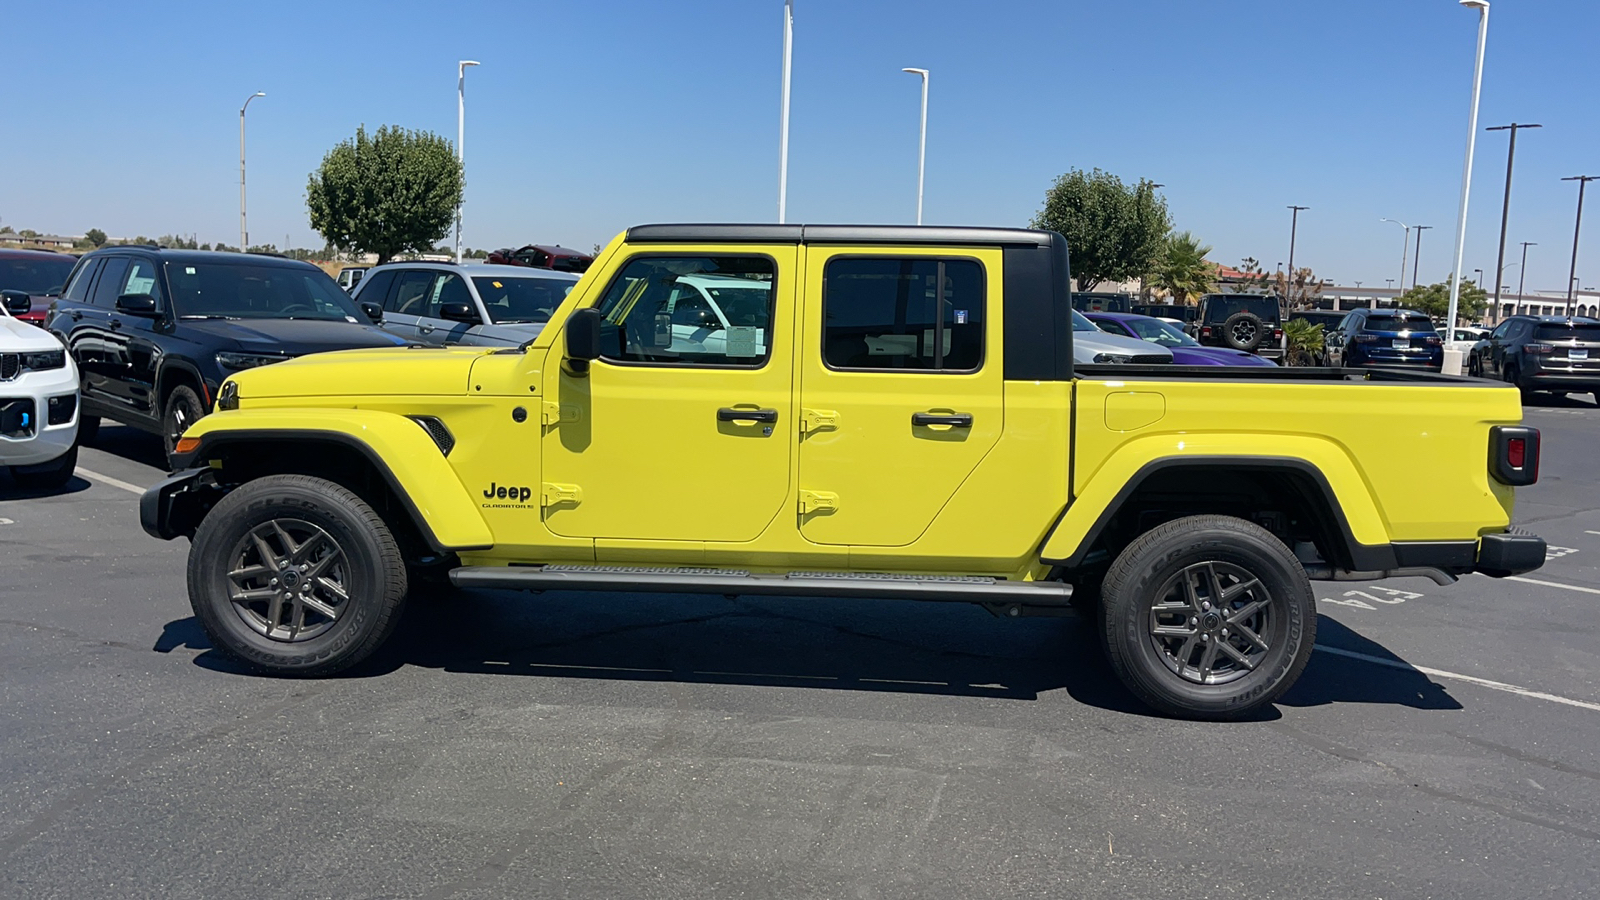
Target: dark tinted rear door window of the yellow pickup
[[919, 315]]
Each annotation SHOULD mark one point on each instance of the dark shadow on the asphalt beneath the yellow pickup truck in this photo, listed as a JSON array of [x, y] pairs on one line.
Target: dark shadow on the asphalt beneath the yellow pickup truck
[[900, 648]]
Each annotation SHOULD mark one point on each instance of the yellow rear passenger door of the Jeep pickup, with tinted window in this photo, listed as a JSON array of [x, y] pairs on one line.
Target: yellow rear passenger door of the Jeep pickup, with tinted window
[[902, 388]]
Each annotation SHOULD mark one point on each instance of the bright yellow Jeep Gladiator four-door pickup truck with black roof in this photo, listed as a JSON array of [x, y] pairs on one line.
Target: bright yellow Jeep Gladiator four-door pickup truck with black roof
[[868, 412]]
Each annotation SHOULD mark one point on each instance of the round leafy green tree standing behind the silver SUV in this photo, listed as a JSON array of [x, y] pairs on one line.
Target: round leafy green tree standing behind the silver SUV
[[388, 193]]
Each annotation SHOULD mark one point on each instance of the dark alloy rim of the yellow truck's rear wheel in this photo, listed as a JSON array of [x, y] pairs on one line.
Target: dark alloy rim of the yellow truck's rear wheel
[[1210, 622]]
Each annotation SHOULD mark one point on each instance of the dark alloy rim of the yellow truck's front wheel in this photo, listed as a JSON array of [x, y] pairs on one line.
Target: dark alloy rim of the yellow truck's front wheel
[[289, 581]]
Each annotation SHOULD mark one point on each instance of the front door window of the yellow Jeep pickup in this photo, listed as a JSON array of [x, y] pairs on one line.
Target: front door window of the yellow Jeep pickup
[[671, 311]]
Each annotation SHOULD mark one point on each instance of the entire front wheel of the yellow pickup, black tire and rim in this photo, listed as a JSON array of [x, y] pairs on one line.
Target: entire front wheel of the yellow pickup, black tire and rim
[[292, 635]]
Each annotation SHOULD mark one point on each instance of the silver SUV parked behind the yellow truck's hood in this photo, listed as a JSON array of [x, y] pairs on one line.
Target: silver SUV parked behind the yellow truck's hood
[[442, 303]]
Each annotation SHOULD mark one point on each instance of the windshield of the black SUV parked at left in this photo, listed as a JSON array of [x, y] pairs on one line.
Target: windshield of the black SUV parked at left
[[231, 291]]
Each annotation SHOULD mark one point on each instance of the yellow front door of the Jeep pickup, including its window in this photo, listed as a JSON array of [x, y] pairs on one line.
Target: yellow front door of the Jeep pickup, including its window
[[673, 441]]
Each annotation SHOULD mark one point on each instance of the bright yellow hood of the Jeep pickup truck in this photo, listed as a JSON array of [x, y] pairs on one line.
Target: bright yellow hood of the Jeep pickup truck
[[414, 371]]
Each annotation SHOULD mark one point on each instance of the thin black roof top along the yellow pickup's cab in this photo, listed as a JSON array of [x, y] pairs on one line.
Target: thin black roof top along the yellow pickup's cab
[[838, 235]]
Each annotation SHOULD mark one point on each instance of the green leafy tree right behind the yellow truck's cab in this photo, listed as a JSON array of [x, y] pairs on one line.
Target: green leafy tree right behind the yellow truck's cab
[[1114, 233]]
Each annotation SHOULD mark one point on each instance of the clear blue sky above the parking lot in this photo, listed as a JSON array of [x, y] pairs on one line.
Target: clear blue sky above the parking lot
[[588, 118]]
